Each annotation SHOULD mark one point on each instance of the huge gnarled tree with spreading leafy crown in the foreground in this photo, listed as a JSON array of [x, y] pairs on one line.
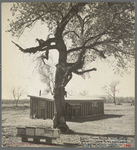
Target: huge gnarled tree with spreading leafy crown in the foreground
[[96, 30]]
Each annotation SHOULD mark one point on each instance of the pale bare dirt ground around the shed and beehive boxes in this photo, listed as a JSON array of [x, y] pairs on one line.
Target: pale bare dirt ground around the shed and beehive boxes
[[116, 125]]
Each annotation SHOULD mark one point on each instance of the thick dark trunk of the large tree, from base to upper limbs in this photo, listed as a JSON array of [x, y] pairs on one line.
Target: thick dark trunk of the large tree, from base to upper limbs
[[59, 91]]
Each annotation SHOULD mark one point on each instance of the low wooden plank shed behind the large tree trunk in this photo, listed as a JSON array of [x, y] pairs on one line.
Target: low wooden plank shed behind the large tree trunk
[[75, 107]]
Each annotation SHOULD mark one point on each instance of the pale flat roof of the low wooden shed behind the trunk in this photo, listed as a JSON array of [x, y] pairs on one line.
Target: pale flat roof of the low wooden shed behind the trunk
[[71, 99]]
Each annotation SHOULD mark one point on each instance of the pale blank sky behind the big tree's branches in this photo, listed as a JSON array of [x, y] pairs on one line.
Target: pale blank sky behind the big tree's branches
[[19, 69]]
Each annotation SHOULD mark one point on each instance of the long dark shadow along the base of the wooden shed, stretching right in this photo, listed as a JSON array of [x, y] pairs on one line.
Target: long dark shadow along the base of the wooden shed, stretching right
[[92, 118]]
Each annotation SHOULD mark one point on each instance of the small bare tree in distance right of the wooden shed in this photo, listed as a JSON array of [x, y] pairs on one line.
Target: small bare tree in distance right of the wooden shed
[[111, 90]]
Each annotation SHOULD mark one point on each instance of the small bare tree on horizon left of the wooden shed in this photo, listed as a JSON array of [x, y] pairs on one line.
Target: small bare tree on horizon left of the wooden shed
[[17, 93]]
